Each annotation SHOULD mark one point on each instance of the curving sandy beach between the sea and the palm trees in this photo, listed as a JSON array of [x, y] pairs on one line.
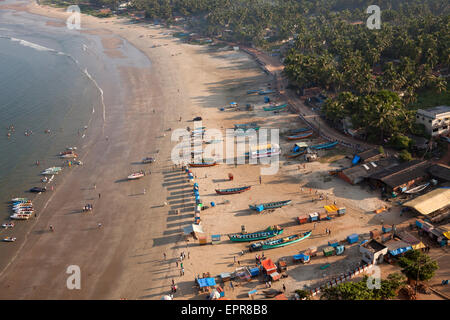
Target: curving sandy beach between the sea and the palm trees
[[124, 258]]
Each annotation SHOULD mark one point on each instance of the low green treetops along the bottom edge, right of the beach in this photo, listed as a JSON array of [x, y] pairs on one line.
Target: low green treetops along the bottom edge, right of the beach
[[360, 290]]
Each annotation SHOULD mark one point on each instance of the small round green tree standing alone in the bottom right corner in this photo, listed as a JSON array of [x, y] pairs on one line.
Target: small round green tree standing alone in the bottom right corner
[[416, 264]]
